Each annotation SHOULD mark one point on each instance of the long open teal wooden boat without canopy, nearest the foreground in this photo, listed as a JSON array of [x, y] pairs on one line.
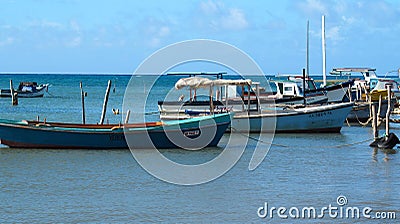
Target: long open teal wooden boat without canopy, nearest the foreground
[[167, 134]]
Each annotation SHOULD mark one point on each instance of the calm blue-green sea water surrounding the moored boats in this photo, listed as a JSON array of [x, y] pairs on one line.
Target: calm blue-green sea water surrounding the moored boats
[[71, 186]]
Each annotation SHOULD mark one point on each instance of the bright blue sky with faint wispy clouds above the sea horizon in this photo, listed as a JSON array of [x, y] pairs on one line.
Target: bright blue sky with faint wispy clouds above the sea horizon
[[85, 36]]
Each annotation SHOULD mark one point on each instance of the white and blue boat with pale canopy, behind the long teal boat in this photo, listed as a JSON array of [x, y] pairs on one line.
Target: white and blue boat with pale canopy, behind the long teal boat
[[253, 116]]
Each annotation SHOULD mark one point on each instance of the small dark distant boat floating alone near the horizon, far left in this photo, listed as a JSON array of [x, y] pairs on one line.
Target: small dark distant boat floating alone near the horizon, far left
[[27, 90]]
